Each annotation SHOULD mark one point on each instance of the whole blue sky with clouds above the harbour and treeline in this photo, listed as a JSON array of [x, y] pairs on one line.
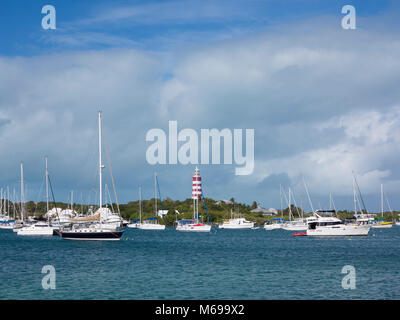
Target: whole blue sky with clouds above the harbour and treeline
[[323, 101]]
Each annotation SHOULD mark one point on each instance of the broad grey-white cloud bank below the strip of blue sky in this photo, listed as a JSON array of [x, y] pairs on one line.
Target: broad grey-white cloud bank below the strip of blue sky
[[322, 103]]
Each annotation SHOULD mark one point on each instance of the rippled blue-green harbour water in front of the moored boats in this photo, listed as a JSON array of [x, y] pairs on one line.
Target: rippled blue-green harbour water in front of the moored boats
[[224, 264]]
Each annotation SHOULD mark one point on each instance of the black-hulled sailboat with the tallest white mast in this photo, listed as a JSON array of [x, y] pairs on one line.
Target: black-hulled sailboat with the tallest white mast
[[94, 229]]
